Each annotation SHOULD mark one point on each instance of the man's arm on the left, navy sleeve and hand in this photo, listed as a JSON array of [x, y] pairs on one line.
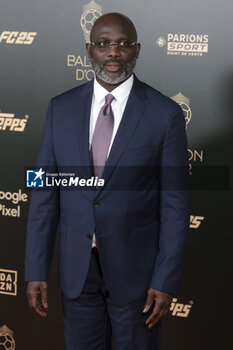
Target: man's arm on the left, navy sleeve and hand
[[42, 227]]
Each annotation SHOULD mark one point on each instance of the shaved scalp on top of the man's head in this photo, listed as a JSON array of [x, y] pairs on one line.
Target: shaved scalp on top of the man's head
[[115, 20]]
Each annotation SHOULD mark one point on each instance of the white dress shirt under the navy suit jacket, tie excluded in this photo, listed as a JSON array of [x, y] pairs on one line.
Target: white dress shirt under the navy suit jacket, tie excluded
[[121, 94]]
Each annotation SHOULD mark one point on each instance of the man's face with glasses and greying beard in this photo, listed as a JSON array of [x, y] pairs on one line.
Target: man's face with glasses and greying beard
[[113, 65]]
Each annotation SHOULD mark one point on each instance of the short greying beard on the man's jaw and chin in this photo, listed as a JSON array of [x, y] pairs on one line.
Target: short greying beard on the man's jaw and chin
[[128, 70]]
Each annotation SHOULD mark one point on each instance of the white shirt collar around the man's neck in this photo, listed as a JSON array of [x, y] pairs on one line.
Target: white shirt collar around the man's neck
[[120, 93]]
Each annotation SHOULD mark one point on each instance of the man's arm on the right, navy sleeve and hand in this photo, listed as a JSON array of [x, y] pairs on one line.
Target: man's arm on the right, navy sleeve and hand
[[174, 220]]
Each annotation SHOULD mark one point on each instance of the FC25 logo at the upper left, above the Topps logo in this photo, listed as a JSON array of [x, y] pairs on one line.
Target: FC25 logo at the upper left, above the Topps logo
[[11, 37]]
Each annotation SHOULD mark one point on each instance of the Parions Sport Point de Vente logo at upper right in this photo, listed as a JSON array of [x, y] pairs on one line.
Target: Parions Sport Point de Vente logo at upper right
[[184, 44]]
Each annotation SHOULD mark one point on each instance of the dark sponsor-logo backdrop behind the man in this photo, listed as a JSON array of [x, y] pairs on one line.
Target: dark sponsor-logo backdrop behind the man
[[186, 53]]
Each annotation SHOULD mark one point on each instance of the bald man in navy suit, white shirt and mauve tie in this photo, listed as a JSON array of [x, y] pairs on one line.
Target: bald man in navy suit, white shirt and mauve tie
[[122, 245]]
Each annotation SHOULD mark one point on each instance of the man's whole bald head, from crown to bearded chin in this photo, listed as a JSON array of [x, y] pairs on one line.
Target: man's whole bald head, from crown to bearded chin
[[113, 49]]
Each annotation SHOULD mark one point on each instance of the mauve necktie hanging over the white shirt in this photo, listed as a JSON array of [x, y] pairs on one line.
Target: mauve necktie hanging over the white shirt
[[102, 136]]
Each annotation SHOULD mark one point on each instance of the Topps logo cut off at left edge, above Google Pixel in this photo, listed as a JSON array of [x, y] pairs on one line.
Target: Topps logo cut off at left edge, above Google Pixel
[[8, 122]]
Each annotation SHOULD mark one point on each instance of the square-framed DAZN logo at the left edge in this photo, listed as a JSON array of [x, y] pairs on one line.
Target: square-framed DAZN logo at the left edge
[[8, 282]]
